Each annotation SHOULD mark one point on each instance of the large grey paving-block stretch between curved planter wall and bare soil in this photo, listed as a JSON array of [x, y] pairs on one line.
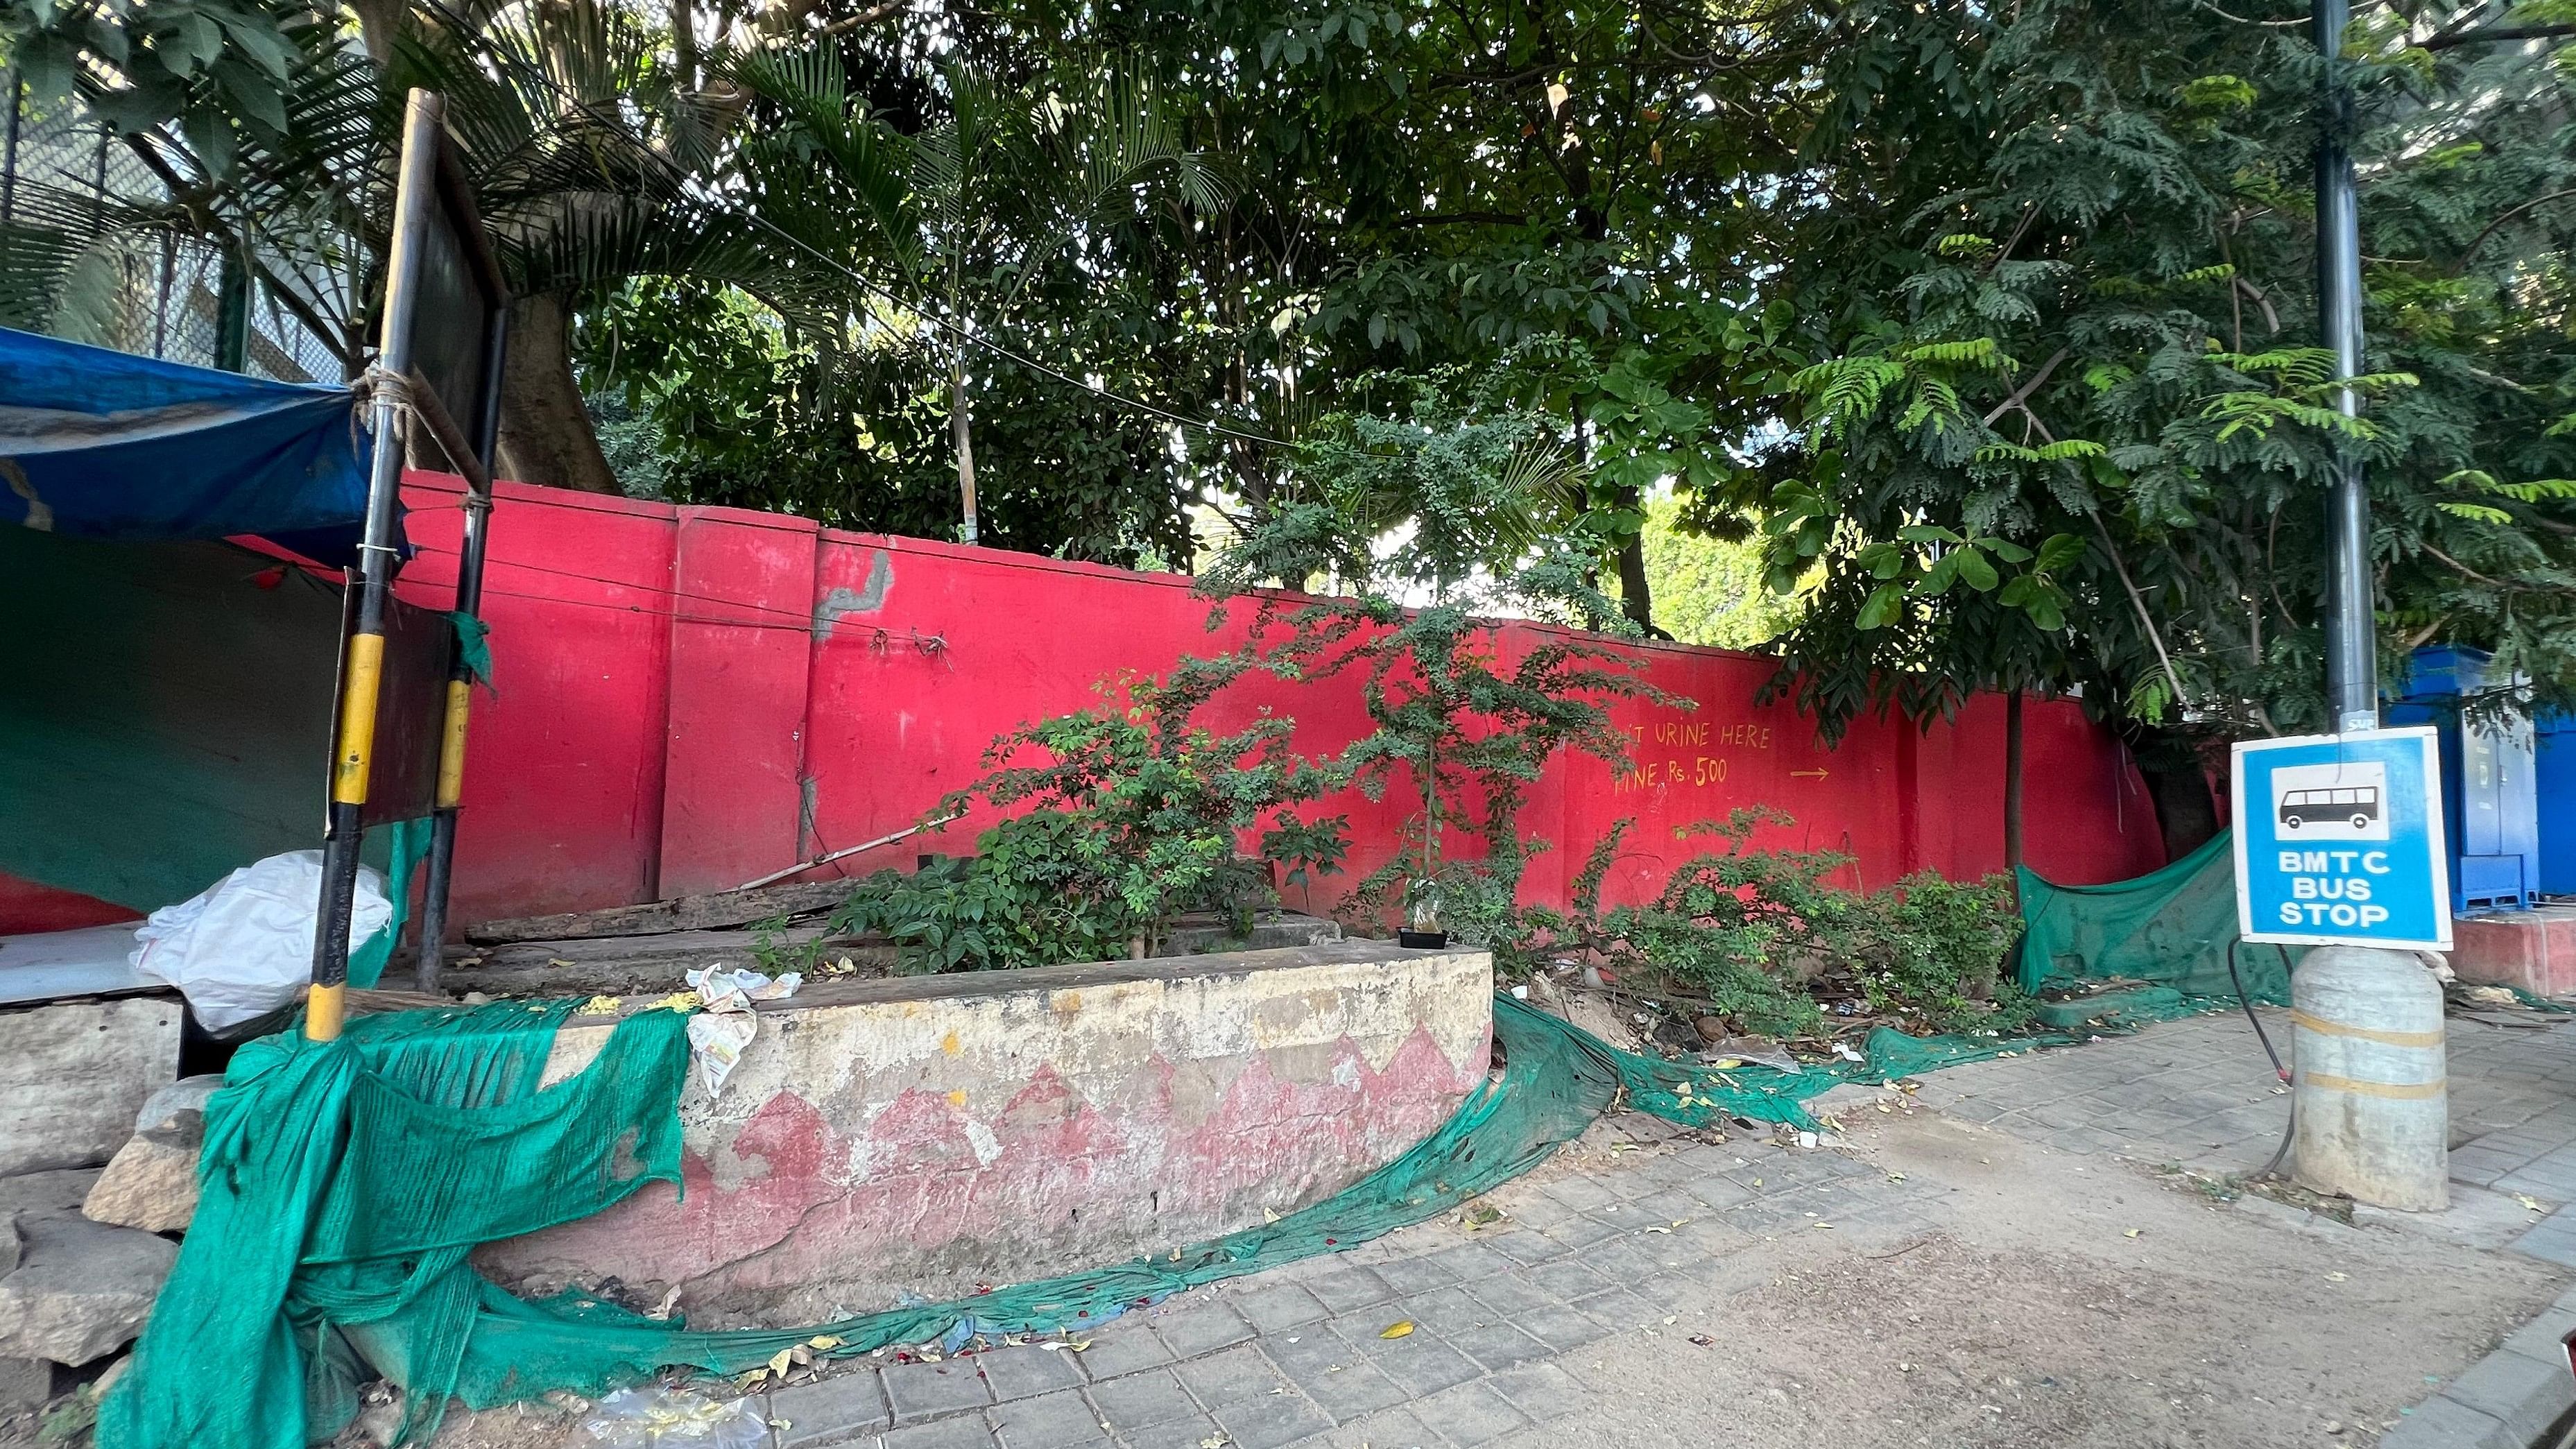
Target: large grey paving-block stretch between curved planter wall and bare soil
[[1302, 1355]]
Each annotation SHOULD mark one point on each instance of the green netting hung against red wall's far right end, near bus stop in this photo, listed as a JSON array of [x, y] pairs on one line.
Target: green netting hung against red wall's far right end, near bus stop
[[2175, 927]]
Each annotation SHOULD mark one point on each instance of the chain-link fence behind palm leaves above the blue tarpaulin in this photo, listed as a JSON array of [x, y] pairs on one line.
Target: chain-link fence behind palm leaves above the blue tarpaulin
[[140, 290]]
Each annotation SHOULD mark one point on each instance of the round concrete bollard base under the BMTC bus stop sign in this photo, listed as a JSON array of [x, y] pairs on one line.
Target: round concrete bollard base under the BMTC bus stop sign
[[2371, 1079]]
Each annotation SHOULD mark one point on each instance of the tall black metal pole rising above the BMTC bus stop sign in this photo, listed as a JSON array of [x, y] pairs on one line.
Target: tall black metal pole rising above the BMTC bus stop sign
[[2353, 690]]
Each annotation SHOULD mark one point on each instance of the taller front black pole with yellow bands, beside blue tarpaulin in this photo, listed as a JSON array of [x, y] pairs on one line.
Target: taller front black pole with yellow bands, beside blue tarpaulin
[[362, 656]]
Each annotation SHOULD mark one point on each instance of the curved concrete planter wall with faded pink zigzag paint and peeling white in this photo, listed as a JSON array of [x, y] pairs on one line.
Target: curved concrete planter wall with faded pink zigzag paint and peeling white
[[942, 1133]]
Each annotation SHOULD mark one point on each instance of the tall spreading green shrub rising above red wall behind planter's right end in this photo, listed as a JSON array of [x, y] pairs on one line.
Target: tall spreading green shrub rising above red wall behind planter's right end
[[1434, 530]]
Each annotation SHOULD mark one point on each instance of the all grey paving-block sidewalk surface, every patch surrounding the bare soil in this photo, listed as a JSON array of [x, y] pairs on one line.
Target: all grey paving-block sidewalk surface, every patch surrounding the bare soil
[[1498, 1319]]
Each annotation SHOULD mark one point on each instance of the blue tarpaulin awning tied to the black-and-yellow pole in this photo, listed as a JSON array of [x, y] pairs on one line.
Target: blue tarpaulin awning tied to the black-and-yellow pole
[[122, 447]]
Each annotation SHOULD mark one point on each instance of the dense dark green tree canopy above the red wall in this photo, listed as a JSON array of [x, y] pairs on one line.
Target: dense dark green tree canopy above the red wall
[[1987, 329]]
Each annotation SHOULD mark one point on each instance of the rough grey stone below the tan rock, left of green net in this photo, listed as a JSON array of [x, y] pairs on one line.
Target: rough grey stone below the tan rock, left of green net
[[81, 1288]]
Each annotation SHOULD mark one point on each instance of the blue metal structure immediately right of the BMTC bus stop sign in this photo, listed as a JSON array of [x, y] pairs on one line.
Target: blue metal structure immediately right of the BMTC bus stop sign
[[2490, 780]]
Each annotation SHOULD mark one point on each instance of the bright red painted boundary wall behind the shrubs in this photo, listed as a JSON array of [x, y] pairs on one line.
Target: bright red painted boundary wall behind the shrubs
[[694, 697]]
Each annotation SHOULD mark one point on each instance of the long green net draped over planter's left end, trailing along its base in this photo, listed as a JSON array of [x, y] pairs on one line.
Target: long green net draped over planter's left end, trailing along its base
[[344, 1187]]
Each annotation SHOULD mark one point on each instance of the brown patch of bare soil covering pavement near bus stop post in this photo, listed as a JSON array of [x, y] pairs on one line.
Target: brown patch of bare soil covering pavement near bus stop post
[[2060, 1301]]
